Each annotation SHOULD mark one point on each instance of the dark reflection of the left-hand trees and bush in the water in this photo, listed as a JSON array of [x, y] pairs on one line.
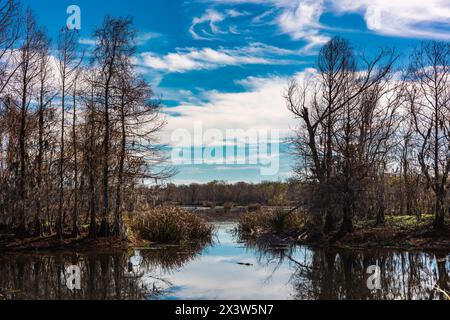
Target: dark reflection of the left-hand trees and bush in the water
[[105, 276]]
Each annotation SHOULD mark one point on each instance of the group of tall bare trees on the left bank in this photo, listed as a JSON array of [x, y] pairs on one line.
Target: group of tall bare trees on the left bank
[[78, 128]]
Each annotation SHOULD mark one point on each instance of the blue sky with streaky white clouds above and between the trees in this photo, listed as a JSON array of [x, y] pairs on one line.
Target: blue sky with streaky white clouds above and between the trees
[[221, 67]]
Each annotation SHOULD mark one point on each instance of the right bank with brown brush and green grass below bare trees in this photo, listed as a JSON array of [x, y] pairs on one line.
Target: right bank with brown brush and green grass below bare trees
[[400, 232]]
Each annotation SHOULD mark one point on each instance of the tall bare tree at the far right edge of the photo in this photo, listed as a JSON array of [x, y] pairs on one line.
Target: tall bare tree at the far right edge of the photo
[[429, 77]]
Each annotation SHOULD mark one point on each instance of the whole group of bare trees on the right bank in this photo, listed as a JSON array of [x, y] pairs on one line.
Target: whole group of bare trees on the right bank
[[373, 136]]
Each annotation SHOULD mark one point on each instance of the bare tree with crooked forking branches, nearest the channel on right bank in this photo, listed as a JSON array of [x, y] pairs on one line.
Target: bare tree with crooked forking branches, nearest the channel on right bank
[[341, 81]]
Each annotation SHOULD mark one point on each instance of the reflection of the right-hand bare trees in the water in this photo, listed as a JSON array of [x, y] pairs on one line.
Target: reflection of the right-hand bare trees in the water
[[330, 274]]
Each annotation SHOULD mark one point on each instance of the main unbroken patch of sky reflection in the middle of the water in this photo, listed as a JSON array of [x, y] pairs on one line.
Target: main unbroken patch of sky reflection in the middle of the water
[[216, 274]]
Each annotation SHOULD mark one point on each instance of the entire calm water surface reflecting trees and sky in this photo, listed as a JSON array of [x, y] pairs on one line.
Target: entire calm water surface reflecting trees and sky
[[226, 270]]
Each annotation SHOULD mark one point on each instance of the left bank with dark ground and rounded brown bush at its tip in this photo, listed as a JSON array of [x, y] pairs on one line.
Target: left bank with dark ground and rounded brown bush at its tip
[[160, 226]]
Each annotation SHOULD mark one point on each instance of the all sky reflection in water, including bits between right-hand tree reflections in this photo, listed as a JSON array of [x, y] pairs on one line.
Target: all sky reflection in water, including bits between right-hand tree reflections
[[216, 274]]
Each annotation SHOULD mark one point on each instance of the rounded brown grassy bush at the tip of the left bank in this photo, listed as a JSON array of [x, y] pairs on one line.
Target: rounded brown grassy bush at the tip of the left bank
[[171, 225]]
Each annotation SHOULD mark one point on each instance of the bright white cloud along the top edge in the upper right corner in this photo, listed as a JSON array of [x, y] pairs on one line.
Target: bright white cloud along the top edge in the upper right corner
[[403, 18]]
